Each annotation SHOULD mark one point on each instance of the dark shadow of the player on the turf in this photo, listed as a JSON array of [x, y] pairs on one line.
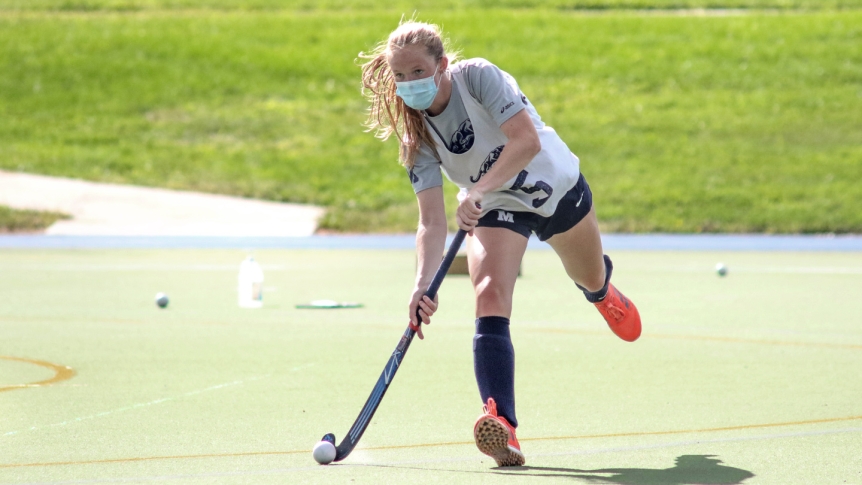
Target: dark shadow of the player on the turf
[[689, 469]]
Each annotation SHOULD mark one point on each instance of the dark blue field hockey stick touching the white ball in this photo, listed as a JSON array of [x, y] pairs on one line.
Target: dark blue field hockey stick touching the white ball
[[349, 442]]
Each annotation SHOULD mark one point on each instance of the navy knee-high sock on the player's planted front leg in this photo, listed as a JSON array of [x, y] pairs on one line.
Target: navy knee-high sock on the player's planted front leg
[[494, 364]]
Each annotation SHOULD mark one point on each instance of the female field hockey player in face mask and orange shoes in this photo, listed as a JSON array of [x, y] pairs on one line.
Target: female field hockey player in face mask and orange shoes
[[470, 120]]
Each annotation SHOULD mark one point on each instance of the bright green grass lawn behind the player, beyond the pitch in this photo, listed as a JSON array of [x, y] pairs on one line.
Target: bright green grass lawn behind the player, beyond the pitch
[[736, 122]]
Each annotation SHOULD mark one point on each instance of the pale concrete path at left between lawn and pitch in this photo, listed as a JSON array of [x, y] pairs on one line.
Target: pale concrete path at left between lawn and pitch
[[121, 210]]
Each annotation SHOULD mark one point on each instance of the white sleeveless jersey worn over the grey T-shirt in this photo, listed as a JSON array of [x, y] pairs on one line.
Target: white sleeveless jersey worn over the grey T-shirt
[[538, 188]]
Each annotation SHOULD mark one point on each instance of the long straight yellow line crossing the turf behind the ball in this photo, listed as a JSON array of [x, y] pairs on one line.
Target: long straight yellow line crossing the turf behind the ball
[[429, 445]]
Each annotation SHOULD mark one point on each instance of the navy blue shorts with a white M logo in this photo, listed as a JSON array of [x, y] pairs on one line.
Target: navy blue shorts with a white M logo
[[573, 207]]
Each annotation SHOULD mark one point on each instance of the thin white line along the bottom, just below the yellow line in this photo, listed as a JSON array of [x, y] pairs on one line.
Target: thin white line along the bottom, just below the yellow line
[[416, 463]]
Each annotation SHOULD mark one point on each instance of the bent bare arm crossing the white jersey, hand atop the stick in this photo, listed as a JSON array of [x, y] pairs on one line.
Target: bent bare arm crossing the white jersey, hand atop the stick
[[522, 146]]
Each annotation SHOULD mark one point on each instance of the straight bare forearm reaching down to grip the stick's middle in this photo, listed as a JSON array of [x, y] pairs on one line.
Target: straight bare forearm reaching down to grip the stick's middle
[[430, 244]]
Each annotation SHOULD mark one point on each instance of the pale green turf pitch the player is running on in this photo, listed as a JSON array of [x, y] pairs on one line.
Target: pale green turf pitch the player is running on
[[758, 370]]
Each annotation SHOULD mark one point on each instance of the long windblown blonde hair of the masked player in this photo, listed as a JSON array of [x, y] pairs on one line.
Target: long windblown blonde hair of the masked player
[[388, 114]]
